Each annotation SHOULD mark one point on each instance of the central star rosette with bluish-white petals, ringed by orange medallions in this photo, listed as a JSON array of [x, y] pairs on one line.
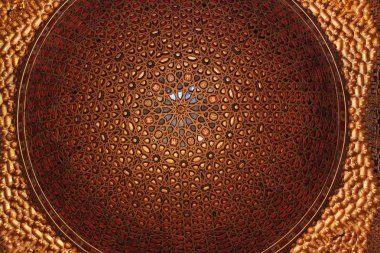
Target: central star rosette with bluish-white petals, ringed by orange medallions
[[182, 110]]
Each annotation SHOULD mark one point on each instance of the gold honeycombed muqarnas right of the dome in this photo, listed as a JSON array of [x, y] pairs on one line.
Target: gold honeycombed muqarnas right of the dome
[[345, 223]]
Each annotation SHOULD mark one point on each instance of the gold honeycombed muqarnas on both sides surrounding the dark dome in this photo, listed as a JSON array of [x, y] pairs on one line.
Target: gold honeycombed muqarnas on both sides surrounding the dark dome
[[345, 223]]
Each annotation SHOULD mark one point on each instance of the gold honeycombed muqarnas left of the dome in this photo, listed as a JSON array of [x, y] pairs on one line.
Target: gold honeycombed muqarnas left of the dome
[[22, 227]]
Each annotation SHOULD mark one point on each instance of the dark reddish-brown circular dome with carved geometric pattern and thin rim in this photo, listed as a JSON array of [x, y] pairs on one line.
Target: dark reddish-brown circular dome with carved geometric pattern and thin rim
[[181, 126]]
